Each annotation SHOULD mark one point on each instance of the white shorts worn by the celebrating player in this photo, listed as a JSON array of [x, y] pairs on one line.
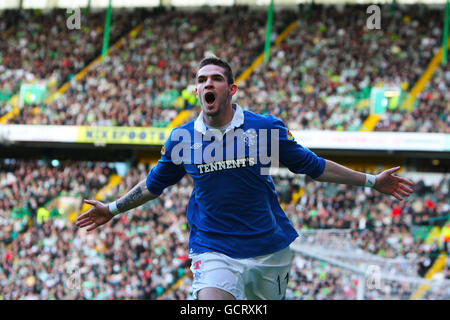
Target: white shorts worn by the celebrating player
[[263, 277]]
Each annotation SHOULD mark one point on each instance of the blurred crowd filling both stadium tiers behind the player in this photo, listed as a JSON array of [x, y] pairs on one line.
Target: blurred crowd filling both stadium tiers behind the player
[[318, 78]]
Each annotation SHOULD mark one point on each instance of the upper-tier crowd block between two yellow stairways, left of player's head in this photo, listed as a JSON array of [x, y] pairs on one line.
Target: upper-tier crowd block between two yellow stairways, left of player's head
[[148, 79]]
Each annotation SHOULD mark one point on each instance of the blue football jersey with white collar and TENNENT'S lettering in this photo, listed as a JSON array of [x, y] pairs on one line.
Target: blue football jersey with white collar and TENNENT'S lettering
[[234, 208]]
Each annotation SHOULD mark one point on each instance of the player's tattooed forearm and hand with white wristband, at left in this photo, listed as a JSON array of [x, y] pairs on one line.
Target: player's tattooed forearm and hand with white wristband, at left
[[101, 213]]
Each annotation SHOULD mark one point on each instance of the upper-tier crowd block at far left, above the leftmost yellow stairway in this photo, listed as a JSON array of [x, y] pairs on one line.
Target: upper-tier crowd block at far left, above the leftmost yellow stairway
[[39, 46]]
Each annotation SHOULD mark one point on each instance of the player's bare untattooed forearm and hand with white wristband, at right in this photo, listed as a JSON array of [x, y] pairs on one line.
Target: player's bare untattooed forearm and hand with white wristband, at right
[[385, 181]]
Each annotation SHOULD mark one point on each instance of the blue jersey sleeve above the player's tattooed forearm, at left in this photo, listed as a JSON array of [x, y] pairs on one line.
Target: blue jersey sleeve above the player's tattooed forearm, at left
[[166, 172]]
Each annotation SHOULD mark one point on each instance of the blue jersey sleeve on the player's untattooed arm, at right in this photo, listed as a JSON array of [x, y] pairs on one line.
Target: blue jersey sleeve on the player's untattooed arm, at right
[[294, 156]]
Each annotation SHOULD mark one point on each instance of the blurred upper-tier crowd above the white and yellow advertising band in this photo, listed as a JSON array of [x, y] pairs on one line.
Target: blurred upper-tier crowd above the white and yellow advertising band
[[320, 76]]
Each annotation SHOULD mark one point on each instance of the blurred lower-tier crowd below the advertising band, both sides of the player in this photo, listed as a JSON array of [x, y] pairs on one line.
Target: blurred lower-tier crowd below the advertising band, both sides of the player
[[141, 254]]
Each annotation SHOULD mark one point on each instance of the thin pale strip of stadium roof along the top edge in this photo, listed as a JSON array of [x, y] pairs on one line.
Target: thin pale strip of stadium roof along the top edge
[[11, 4]]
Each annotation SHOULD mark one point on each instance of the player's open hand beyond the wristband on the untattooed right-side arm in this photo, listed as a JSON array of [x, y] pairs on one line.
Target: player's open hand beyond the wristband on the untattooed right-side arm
[[395, 186]]
